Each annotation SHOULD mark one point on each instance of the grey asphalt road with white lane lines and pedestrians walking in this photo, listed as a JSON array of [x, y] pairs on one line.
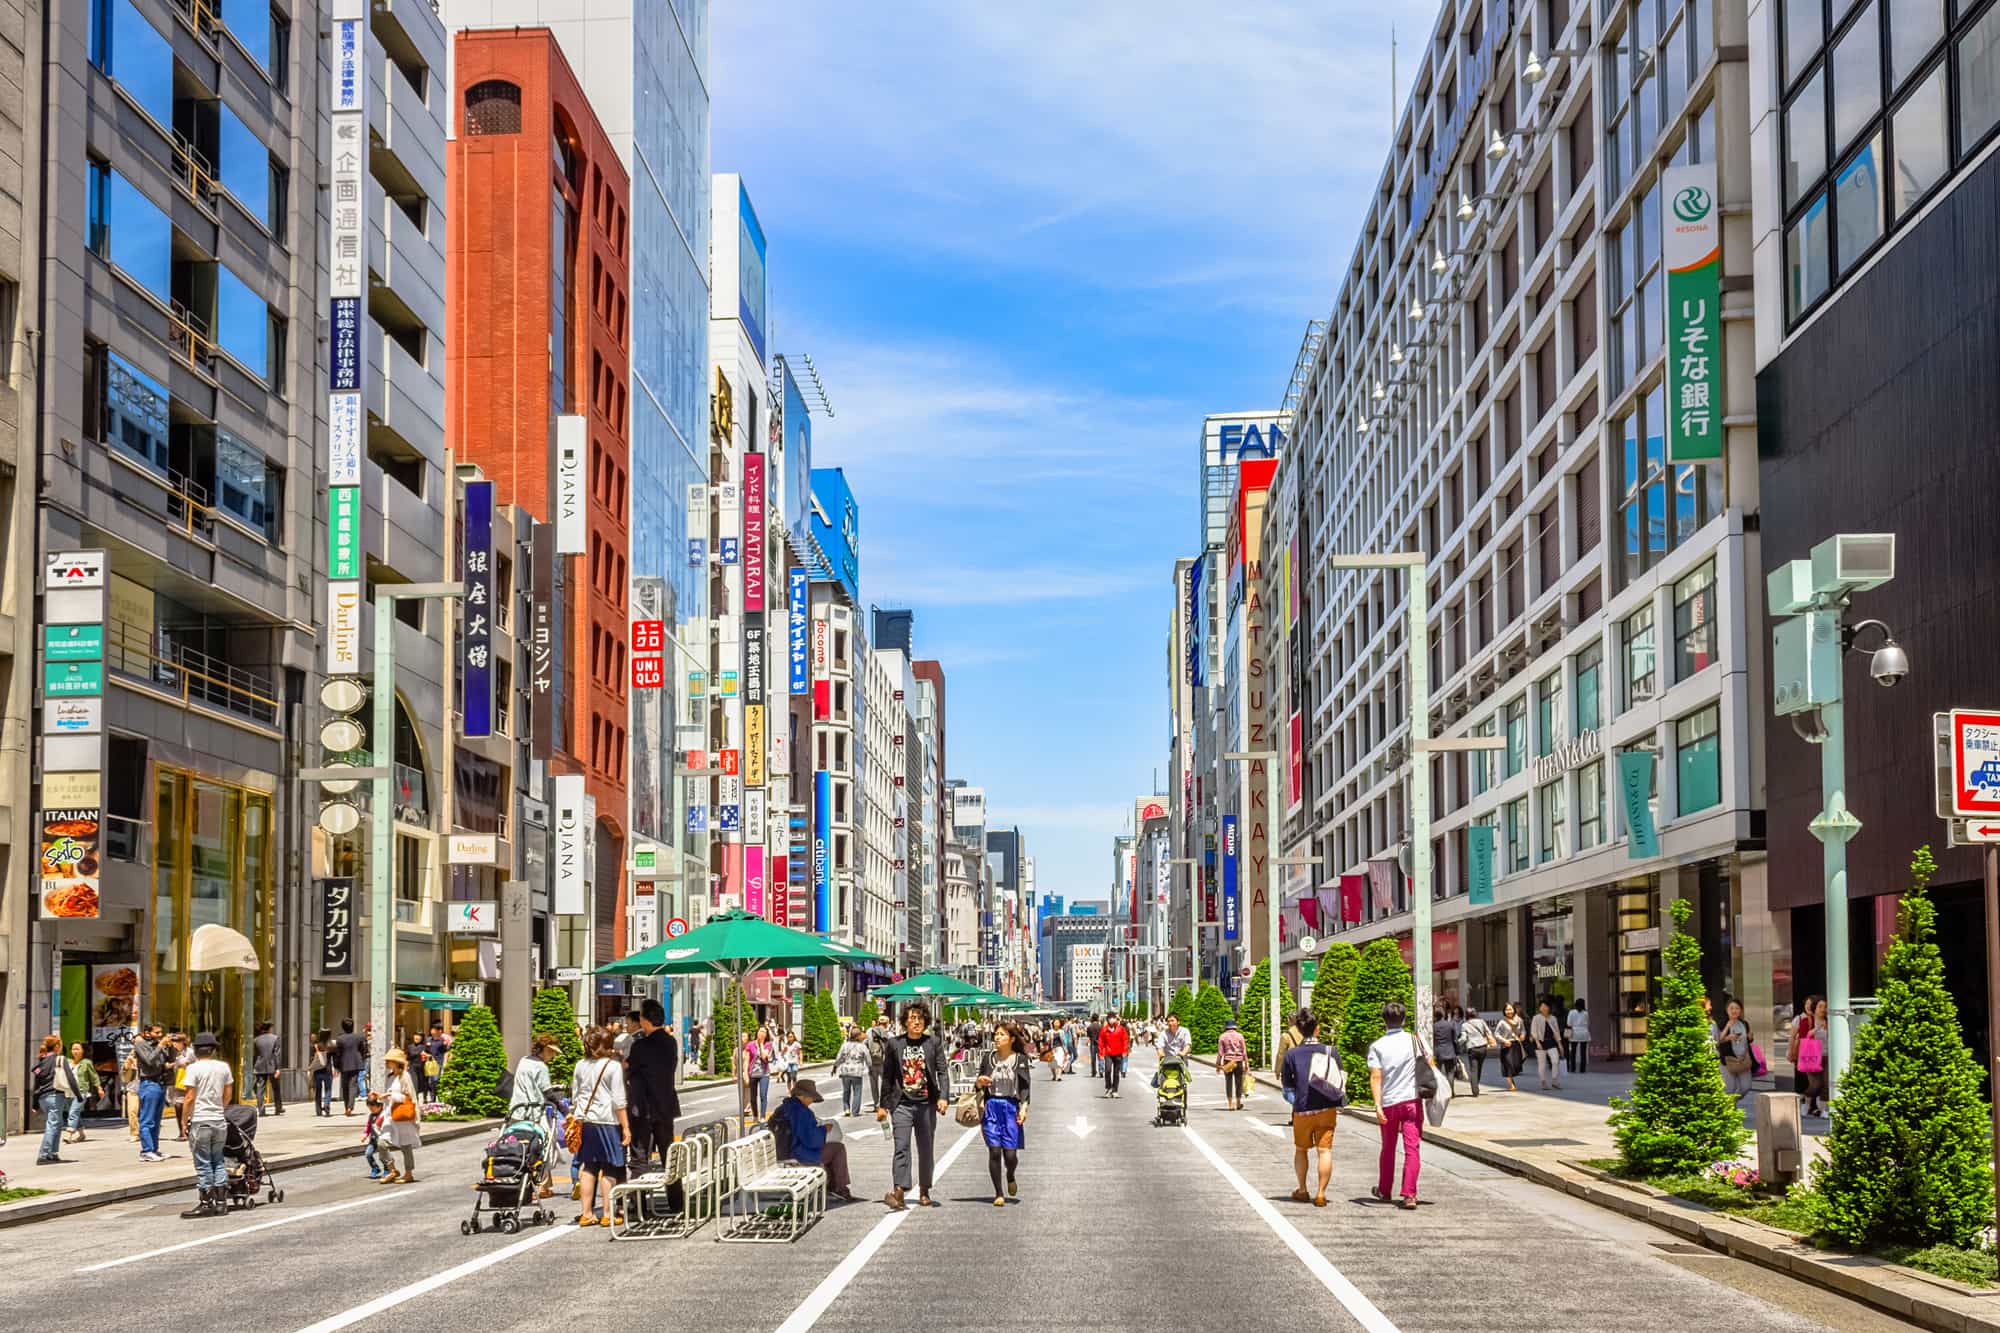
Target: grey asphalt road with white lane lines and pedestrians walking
[[1119, 1226]]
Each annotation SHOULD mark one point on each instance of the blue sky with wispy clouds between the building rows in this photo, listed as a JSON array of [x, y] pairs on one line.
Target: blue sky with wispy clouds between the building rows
[[1029, 247]]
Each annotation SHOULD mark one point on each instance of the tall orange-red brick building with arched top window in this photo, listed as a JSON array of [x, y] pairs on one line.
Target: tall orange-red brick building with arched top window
[[539, 295]]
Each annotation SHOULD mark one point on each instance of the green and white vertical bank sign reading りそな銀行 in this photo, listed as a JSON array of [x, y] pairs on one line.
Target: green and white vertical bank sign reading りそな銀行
[[1693, 257]]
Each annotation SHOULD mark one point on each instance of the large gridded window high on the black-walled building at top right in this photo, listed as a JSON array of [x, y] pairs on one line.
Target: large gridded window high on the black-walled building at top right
[[1867, 131]]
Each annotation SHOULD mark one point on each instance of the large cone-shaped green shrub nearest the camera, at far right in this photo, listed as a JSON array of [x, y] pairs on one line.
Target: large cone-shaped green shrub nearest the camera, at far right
[[1909, 1156]]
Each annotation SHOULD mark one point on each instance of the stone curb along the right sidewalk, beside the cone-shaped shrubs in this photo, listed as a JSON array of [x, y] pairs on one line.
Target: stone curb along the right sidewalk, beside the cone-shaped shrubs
[[1925, 1300]]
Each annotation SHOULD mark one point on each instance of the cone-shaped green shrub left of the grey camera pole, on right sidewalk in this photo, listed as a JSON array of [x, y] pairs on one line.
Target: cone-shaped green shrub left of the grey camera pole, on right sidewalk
[[1679, 1118]]
